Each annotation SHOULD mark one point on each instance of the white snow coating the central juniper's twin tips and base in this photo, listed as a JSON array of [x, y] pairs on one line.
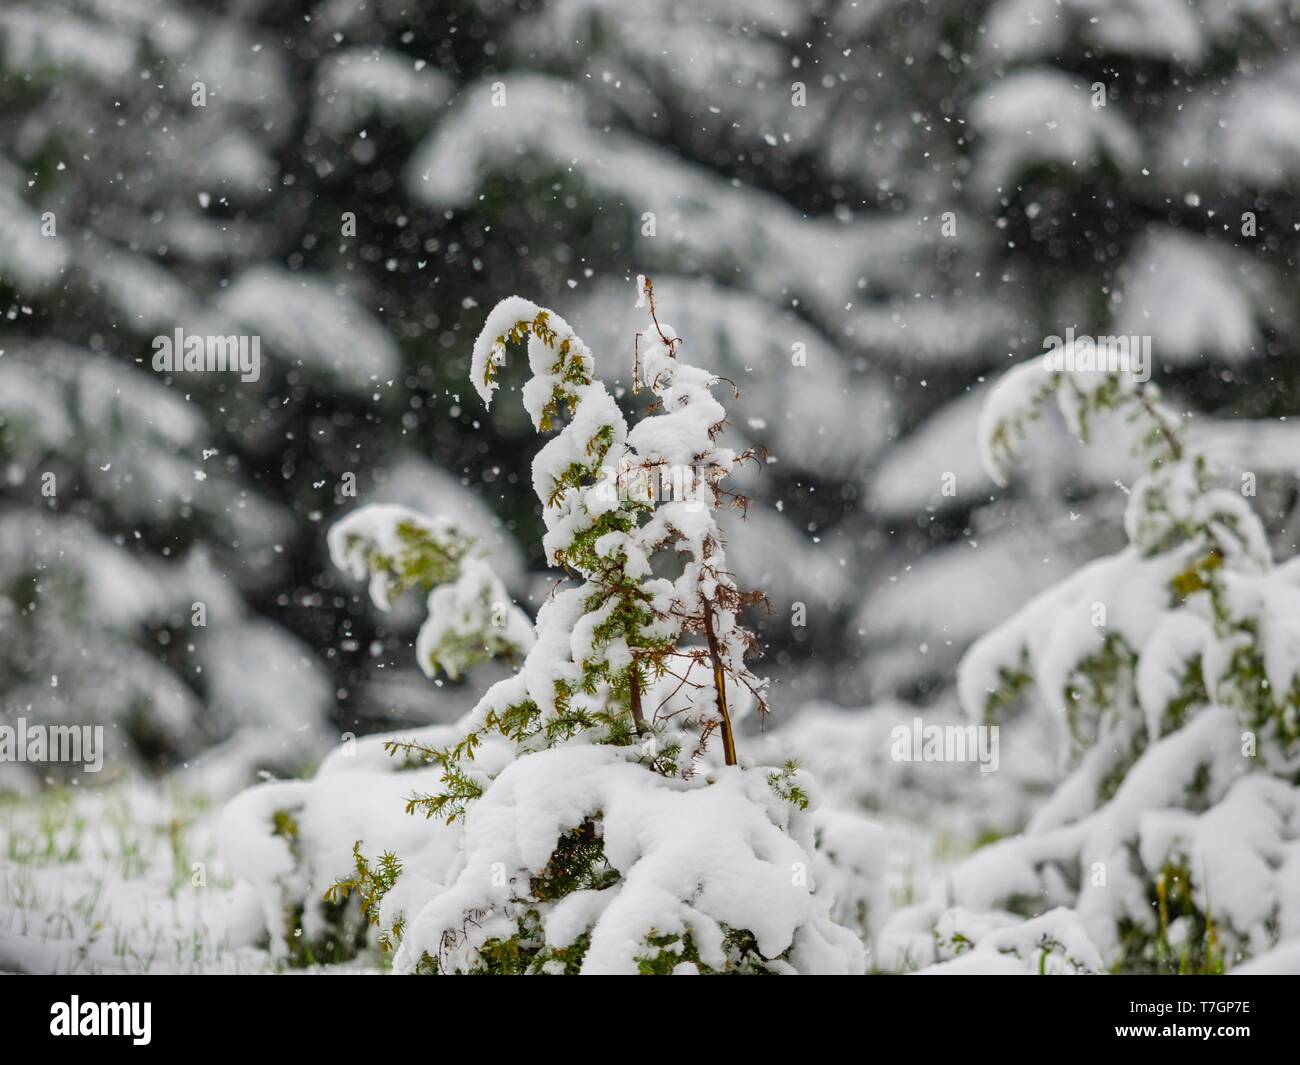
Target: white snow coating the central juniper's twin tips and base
[[694, 856]]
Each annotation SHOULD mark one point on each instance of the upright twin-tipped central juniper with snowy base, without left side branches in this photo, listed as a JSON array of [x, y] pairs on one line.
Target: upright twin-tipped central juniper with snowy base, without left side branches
[[623, 835]]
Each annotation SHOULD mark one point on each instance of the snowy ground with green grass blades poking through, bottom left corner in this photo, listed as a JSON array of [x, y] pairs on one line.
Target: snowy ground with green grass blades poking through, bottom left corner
[[122, 881]]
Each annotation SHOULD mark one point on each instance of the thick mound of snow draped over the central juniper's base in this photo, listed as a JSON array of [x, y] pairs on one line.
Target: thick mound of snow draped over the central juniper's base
[[691, 860]]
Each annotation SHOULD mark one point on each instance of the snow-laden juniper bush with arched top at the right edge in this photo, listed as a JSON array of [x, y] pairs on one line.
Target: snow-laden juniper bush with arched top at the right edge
[[1173, 674]]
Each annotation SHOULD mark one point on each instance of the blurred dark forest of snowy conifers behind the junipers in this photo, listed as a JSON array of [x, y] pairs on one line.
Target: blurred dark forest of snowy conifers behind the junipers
[[856, 211]]
